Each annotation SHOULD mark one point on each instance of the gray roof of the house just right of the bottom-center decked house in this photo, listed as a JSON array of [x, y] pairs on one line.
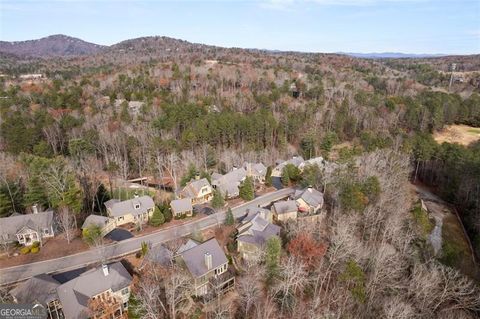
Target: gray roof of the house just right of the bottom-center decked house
[[259, 231]]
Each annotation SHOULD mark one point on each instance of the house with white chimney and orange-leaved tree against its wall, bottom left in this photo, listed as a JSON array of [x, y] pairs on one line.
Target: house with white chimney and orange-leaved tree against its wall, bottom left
[[99, 293]]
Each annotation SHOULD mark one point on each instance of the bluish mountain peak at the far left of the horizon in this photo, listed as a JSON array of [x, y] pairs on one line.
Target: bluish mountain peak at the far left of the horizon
[[52, 46]]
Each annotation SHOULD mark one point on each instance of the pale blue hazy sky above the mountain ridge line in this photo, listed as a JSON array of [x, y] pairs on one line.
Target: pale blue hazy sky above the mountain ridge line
[[410, 26]]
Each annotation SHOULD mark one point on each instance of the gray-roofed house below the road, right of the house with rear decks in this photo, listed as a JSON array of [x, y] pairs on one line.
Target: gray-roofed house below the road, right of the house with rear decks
[[253, 233]]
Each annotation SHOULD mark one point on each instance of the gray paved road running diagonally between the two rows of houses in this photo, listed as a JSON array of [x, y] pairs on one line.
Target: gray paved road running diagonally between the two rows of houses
[[128, 246]]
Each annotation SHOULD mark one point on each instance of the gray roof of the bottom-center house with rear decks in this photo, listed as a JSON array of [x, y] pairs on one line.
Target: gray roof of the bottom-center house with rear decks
[[194, 258]]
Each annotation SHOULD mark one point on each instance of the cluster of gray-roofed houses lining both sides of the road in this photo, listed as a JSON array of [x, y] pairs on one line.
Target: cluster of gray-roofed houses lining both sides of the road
[[103, 290]]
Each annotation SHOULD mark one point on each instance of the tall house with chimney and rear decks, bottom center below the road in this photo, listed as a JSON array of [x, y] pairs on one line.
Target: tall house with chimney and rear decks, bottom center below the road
[[208, 267]]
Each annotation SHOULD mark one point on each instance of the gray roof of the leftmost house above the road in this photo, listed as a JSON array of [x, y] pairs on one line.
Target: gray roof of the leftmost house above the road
[[9, 226]]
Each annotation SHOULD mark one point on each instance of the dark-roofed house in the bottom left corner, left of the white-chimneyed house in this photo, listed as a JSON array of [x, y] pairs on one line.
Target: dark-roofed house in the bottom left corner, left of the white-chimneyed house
[[41, 289]]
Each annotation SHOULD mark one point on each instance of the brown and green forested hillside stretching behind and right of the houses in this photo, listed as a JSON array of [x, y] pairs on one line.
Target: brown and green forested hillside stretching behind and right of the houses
[[64, 135]]
